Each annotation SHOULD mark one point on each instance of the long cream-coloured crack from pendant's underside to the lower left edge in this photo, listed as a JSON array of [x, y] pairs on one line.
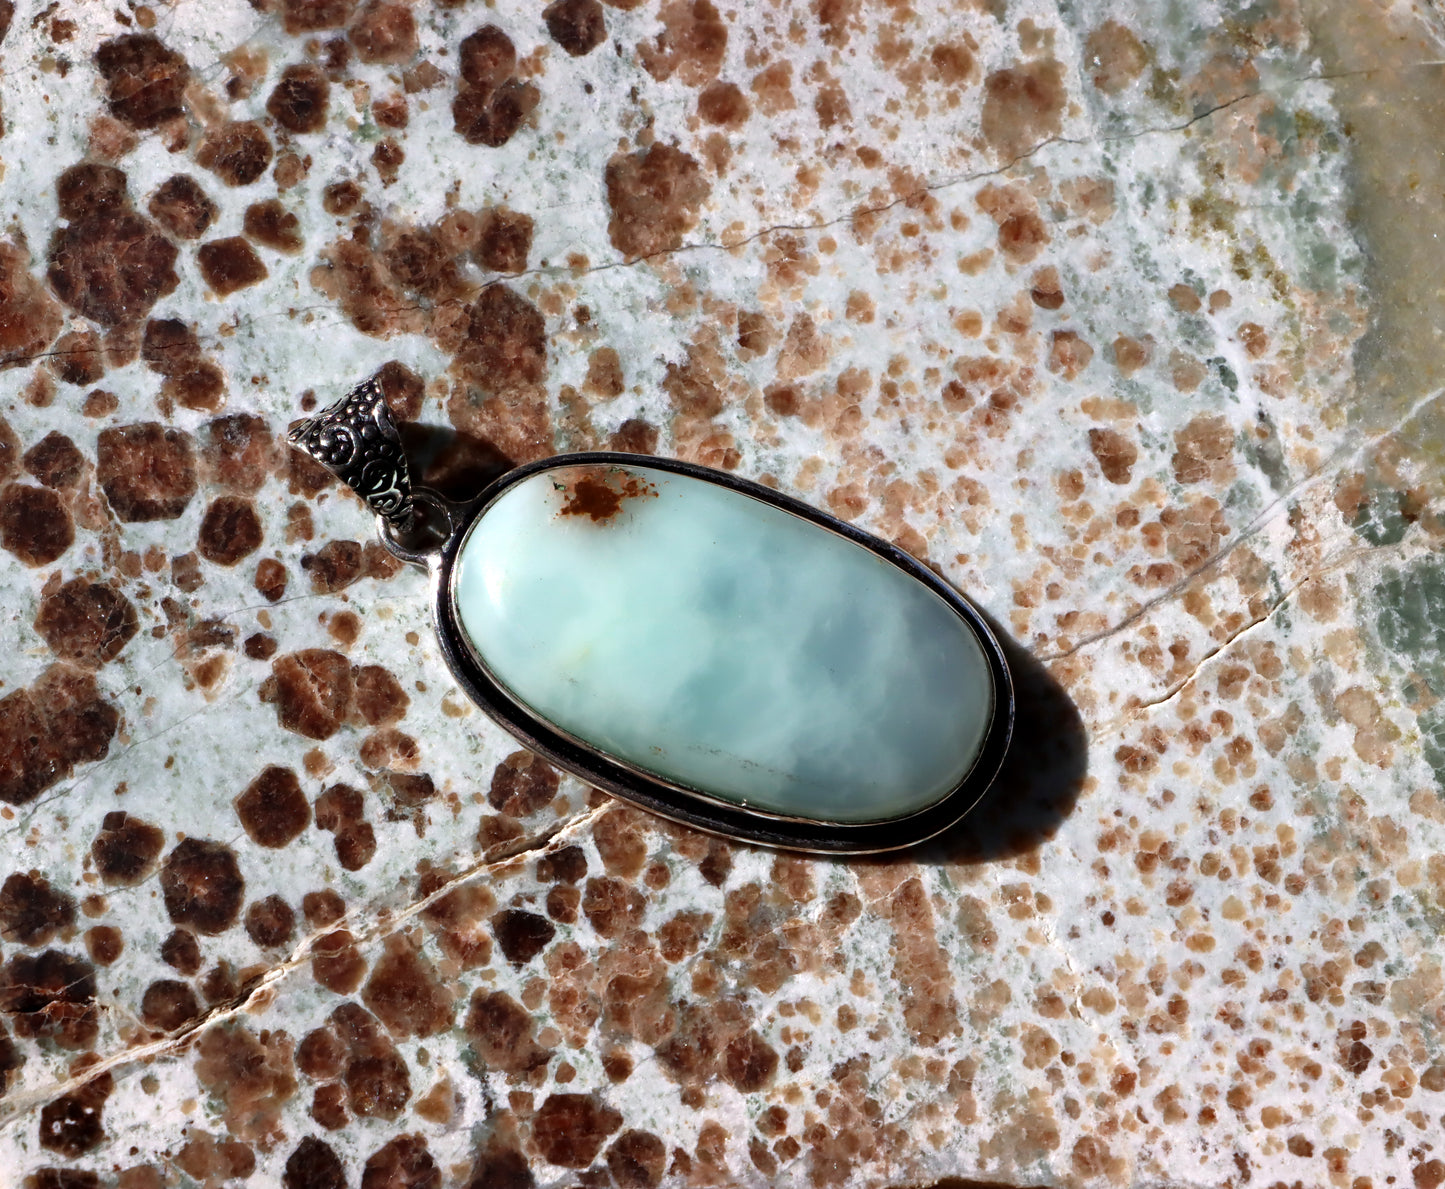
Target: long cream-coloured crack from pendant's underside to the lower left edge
[[14, 1107]]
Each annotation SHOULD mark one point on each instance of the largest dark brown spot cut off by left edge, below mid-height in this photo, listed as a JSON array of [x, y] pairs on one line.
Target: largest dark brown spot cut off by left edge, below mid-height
[[48, 729]]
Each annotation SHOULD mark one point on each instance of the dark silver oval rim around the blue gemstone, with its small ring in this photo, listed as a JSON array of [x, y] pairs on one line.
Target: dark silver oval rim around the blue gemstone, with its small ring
[[668, 800]]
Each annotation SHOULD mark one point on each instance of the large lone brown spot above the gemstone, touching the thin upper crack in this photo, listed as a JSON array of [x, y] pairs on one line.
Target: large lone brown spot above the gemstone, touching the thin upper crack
[[655, 197]]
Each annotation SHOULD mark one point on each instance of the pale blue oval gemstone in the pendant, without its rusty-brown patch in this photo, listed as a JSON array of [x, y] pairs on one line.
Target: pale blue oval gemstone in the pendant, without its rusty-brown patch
[[726, 645]]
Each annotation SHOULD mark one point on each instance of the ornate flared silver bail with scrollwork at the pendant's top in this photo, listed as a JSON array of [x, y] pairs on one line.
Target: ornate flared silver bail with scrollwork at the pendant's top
[[359, 443]]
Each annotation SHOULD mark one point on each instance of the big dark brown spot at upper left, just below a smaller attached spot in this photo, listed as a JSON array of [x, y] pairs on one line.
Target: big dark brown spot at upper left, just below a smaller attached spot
[[112, 268]]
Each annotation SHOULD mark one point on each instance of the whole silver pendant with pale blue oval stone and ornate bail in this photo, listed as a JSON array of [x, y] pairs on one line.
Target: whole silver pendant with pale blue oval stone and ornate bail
[[699, 645]]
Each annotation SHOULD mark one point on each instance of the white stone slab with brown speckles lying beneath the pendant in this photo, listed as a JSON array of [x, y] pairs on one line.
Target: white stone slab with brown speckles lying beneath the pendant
[[1123, 317]]
